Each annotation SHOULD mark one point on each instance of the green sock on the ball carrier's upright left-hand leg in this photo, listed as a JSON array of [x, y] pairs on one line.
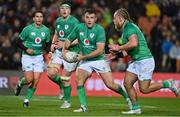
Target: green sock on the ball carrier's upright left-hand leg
[[82, 95]]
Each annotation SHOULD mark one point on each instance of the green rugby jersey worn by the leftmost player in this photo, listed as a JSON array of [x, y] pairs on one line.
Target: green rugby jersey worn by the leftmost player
[[34, 37]]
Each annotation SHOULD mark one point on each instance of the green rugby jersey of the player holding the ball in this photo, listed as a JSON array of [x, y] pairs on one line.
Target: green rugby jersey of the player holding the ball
[[88, 38]]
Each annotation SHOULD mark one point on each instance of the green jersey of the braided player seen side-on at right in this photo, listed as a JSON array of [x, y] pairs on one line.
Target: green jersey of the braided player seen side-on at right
[[141, 51]]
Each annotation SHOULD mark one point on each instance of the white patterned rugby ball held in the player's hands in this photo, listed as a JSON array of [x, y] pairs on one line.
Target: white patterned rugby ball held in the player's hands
[[71, 57]]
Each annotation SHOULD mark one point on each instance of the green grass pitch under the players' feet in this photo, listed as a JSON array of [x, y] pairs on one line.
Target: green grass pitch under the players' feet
[[98, 106]]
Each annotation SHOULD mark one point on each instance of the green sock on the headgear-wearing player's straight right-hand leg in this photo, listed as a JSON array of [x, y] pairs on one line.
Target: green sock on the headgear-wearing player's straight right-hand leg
[[67, 93]]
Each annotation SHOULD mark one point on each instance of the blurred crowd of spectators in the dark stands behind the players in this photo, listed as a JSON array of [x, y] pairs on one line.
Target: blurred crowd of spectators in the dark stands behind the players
[[158, 19]]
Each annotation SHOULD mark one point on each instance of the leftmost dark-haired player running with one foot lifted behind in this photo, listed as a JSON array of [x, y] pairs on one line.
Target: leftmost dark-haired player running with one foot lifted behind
[[32, 39]]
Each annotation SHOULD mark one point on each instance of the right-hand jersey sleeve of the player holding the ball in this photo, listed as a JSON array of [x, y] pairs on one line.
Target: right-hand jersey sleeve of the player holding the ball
[[101, 36]]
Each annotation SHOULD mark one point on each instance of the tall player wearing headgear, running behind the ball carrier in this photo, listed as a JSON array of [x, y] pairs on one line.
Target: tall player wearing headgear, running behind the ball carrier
[[63, 27]]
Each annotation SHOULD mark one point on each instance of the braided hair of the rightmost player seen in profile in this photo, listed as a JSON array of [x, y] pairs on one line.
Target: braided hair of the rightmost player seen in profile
[[124, 13]]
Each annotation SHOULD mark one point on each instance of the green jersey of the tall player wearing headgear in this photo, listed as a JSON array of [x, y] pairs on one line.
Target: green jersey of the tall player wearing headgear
[[64, 27]]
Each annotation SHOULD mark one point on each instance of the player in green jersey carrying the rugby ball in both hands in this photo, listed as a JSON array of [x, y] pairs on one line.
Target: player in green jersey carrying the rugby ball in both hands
[[91, 39]]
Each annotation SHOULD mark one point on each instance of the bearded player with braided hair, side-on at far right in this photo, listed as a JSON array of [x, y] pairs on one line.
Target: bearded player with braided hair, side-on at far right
[[142, 65]]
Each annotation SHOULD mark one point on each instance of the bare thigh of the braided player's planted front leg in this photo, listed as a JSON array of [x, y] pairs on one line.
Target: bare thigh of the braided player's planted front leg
[[130, 79]]
